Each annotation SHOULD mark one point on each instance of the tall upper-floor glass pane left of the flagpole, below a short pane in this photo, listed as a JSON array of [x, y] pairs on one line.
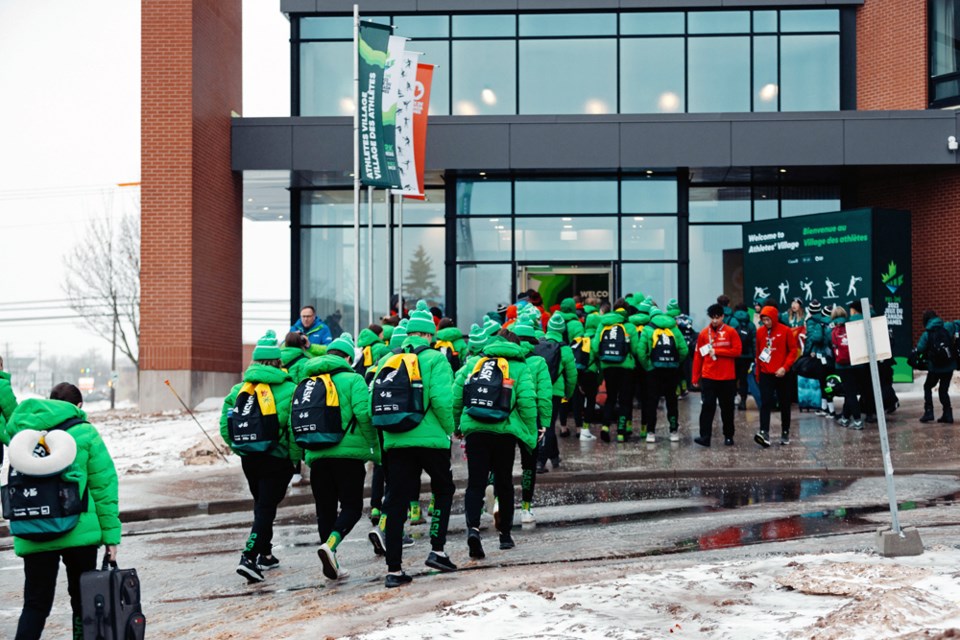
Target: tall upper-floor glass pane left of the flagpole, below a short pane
[[326, 79]]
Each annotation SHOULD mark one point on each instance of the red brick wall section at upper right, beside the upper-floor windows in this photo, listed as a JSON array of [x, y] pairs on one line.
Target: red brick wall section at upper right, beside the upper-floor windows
[[892, 55]]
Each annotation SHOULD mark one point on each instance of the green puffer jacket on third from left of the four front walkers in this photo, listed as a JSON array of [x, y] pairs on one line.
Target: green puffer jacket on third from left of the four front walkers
[[435, 429]]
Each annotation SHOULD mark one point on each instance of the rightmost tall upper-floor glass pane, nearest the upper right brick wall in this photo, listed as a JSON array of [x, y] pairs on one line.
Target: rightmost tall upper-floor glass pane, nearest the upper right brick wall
[[810, 73]]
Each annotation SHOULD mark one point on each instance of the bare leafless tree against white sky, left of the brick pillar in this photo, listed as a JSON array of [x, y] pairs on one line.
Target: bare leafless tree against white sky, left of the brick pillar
[[103, 281]]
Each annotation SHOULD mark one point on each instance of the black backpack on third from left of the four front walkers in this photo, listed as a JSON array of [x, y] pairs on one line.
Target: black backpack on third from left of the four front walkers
[[397, 404]]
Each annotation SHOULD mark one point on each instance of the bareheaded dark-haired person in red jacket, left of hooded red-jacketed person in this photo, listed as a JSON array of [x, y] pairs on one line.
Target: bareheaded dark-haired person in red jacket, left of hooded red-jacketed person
[[715, 372]]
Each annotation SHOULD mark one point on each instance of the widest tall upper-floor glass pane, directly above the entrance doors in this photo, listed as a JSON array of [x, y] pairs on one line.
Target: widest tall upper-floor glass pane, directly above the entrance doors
[[588, 69]]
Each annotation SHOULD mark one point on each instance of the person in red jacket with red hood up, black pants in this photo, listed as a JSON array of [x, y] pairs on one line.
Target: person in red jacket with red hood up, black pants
[[776, 352]]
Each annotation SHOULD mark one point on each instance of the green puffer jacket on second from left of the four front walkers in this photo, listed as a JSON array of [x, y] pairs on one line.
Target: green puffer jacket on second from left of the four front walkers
[[360, 440]]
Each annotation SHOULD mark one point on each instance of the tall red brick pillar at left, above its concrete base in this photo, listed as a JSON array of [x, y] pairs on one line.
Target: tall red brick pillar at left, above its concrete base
[[191, 228]]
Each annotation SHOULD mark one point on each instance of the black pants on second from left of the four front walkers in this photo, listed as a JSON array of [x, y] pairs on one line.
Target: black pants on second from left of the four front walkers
[[337, 481]]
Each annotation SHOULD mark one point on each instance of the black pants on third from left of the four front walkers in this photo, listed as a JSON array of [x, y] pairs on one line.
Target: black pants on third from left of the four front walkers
[[404, 466]]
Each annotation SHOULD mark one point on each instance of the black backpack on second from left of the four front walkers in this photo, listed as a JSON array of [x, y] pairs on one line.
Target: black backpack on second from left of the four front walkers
[[315, 417]]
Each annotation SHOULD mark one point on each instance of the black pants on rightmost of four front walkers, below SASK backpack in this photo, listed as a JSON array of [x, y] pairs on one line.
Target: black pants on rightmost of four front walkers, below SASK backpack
[[489, 452]]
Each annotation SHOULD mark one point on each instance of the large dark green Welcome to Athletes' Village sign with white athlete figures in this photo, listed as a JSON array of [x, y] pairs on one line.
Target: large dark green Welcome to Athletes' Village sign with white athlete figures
[[835, 258]]
